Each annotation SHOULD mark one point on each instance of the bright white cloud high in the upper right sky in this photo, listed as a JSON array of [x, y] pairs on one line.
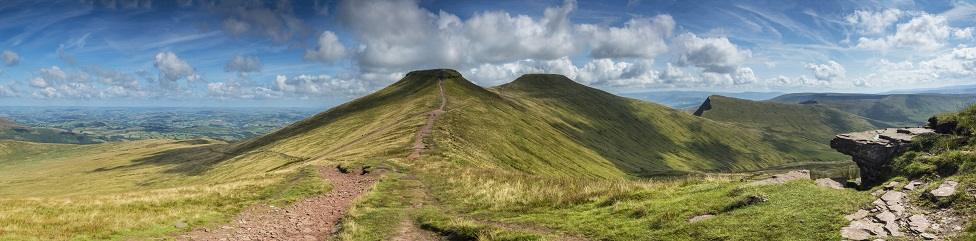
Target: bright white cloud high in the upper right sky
[[923, 32]]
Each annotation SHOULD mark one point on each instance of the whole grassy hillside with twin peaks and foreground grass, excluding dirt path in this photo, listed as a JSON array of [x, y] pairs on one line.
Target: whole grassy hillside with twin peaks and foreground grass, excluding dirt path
[[519, 139]]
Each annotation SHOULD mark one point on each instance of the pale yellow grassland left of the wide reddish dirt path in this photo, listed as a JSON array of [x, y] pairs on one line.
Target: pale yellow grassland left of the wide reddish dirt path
[[93, 192]]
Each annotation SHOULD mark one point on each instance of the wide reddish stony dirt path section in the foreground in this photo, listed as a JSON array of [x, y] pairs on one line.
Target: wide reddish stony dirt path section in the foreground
[[310, 219]]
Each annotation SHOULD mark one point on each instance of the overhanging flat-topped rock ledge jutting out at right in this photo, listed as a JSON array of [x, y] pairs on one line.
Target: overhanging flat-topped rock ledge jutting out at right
[[874, 150]]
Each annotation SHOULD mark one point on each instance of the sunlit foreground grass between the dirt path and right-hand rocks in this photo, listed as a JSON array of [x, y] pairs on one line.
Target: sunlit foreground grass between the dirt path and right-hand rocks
[[648, 210]]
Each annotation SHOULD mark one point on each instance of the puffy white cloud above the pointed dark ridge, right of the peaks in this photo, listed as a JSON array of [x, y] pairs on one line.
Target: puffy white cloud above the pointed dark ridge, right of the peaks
[[716, 55]]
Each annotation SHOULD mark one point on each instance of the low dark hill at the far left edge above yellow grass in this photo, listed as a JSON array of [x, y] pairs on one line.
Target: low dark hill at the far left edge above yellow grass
[[10, 130]]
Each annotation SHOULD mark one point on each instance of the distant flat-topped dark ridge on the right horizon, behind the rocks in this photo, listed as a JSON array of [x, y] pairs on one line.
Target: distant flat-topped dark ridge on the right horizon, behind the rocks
[[895, 109]]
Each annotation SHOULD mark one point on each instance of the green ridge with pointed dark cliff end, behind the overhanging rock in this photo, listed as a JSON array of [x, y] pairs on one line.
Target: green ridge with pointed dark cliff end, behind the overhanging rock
[[815, 123]]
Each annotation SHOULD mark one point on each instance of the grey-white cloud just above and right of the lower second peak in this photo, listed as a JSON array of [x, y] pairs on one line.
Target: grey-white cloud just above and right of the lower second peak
[[638, 38]]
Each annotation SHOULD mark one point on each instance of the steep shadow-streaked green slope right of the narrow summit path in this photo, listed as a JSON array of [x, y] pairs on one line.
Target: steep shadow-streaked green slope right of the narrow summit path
[[549, 124]]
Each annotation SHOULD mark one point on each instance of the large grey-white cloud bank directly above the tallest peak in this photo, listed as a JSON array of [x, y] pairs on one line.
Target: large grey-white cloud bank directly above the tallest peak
[[401, 35]]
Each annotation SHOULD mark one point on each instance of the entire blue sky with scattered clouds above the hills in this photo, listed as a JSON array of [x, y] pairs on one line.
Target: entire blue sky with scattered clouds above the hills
[[321, 53]]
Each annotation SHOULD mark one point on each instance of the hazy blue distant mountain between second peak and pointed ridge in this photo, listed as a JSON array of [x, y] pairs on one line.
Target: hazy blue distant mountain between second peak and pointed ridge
[[690, 99]]
